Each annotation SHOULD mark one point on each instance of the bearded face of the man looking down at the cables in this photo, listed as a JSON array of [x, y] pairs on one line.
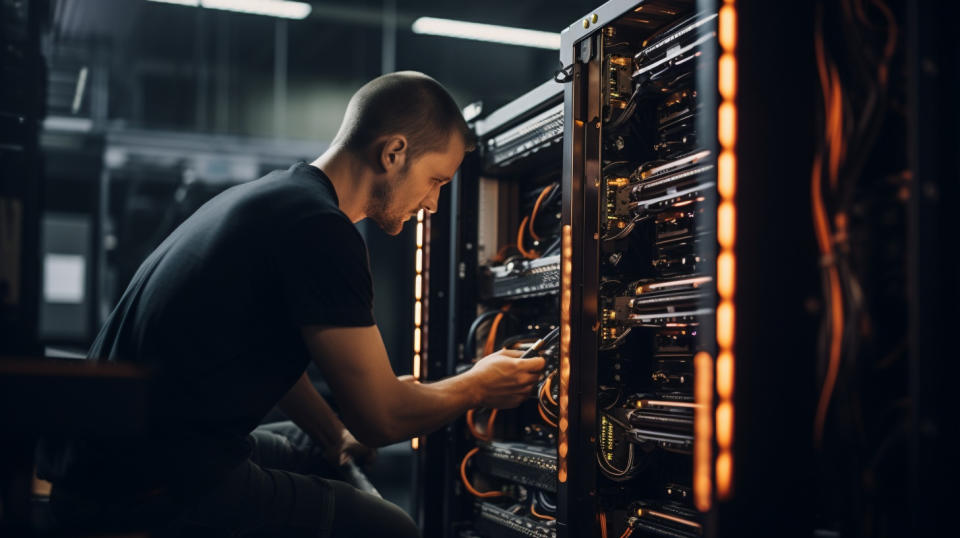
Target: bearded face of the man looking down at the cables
[[397, 197]]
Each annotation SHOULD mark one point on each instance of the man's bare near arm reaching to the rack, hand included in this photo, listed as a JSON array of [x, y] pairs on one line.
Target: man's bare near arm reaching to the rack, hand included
[[379, 408]]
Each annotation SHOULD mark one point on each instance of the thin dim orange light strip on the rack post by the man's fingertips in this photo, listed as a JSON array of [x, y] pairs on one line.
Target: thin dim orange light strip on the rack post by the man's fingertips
[[566, 297]]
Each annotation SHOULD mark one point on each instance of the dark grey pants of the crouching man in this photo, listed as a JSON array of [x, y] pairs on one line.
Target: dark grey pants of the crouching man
[[285, 489]]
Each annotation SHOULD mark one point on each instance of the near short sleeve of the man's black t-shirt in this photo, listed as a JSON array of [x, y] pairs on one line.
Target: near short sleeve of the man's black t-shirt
[[324, 272]]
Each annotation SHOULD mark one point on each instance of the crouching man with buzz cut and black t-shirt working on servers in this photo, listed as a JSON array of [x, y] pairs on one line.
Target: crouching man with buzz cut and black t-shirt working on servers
[[232, 306]]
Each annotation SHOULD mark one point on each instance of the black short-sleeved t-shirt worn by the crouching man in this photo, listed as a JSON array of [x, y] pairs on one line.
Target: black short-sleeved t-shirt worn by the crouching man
[[215, 312]]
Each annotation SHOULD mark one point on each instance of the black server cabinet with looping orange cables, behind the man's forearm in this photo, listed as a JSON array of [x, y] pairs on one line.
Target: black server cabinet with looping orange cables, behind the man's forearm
[[479, 291]]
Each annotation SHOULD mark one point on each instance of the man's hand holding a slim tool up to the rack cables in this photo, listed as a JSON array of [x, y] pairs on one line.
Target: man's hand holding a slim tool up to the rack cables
[[504, 379]]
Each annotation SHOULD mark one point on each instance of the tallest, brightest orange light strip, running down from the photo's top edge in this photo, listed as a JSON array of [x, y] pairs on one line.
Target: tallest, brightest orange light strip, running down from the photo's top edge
[[726, 238]]
